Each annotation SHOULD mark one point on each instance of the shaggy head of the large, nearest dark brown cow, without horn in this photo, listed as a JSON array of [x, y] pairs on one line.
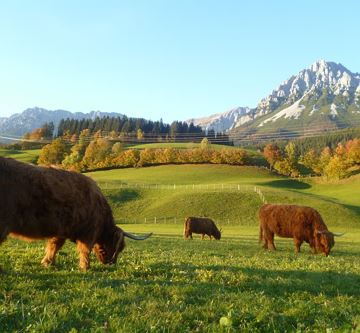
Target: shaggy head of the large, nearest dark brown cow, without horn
[[109, 248]]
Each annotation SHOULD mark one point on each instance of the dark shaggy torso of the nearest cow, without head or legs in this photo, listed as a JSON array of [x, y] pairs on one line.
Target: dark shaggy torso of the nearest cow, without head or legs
[[45, 202]]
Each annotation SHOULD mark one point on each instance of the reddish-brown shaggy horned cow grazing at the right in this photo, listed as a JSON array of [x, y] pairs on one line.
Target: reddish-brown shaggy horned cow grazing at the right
[[303, 224]]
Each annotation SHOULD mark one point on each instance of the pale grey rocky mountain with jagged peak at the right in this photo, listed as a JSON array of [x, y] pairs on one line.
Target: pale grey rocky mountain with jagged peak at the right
[[327, 87]]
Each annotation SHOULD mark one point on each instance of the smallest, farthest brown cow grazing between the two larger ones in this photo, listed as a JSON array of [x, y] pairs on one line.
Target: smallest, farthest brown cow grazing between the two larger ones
[[201, 225]]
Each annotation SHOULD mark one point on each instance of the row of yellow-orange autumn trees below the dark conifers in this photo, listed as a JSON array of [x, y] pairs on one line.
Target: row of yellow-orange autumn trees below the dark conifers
[[103, 153]]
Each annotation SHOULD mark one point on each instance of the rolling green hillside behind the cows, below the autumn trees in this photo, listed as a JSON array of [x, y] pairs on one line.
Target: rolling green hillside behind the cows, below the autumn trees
[[225, 193]]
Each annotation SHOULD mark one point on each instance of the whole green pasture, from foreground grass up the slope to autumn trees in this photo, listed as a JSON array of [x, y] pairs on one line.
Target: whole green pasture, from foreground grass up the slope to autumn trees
[[168, 284]]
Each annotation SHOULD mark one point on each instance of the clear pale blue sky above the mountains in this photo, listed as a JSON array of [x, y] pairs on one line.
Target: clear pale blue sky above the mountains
[[165, 59]]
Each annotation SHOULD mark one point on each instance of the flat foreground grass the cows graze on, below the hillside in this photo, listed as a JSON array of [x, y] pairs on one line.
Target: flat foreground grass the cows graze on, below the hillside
[[167, 284]]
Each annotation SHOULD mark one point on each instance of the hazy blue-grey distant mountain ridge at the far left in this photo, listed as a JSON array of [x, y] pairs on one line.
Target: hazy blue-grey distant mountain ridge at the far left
[[31, 118]]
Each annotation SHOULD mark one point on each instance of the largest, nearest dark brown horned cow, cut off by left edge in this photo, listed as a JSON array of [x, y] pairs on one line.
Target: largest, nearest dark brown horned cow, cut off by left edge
[[53, 204]]
